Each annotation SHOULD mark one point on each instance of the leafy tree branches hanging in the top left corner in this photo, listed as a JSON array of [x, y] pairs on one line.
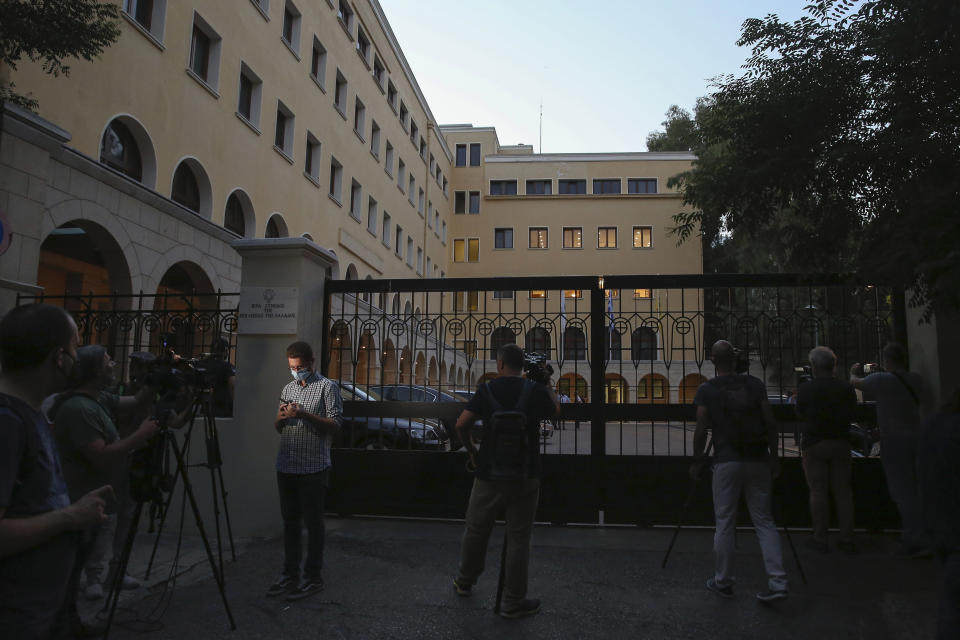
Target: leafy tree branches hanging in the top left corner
[[50, 31]]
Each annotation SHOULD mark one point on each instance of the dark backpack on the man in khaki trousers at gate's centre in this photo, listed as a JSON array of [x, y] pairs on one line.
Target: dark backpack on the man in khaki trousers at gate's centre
[[506, 437]]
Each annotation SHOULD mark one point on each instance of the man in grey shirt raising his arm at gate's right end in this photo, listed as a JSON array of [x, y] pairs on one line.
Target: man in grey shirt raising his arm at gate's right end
[[898, 393]]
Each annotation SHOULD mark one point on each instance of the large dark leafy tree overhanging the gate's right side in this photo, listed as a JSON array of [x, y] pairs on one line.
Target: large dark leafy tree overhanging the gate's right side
[[839, 146]]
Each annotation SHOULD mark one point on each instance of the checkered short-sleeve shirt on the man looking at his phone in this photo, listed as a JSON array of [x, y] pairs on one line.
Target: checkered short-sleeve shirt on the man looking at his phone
[[305, 447]]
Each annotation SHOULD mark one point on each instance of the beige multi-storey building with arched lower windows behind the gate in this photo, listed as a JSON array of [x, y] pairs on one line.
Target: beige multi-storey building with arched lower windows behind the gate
[[209, 121]]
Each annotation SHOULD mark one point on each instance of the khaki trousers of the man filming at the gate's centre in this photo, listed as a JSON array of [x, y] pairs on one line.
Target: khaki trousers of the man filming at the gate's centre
[[519, 498]]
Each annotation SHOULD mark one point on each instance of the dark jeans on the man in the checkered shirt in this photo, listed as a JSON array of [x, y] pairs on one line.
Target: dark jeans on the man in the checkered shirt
[[301, 503]]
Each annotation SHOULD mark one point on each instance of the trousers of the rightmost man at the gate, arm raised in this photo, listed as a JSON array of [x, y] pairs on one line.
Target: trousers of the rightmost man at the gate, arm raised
[[898, 456]]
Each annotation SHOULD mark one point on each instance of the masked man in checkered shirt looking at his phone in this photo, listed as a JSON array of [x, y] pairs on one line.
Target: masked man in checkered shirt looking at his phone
[[310, 411]]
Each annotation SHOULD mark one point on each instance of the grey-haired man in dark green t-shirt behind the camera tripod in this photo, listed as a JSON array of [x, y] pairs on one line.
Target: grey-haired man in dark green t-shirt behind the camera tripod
[[93, 453]]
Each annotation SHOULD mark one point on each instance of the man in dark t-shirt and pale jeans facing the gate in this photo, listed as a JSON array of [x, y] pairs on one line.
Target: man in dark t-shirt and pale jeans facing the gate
[[736, 410]]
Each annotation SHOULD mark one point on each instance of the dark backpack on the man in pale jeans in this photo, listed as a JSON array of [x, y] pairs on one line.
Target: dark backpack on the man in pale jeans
[[741, 416]]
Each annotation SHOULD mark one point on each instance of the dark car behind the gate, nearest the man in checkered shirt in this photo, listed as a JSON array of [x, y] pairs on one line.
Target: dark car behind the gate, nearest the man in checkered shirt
[[371, 432]]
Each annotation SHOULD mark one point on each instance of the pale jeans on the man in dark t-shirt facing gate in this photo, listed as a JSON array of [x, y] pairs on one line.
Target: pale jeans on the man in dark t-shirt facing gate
[[753, 479]]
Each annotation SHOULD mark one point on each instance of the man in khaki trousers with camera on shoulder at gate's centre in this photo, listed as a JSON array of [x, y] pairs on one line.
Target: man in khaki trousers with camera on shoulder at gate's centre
[[519, 497]]
